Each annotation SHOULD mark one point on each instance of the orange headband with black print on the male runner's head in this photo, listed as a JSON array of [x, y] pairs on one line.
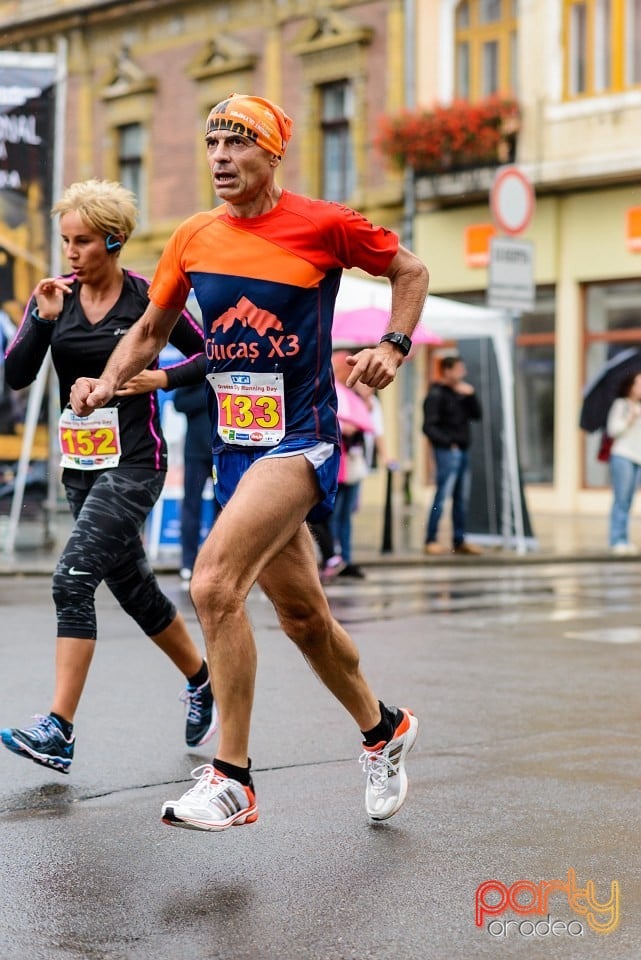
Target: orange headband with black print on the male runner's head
[[256, 118]]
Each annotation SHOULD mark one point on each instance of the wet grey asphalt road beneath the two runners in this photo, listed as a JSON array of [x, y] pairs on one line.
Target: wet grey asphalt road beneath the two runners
[[526, 681]]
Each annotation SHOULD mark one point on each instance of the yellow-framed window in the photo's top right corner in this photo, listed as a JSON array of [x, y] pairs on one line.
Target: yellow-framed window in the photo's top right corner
[[603, 46]]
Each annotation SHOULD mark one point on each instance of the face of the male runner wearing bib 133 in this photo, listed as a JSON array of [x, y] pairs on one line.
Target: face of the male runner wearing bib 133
[[241, 171]]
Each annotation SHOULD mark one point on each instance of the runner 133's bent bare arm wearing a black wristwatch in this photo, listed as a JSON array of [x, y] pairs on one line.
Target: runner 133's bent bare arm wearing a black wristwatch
[[409, 279]]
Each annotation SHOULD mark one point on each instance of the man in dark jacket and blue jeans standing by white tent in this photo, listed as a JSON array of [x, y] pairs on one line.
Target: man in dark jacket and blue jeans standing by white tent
[[448, 408]]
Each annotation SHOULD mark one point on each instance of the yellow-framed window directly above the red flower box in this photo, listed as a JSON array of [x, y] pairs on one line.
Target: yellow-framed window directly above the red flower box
[[485, 39]]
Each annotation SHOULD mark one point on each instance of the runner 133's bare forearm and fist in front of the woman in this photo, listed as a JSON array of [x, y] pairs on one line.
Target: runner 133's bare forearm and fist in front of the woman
[[135, 351]]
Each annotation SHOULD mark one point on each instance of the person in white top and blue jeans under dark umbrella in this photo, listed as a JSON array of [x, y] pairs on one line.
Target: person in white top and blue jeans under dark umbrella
[[624, 426]]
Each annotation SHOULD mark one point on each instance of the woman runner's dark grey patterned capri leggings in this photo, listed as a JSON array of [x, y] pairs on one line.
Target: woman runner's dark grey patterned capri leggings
[[110, 508]]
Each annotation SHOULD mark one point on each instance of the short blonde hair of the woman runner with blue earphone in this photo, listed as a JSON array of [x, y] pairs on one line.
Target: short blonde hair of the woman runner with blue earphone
[[105, 205]]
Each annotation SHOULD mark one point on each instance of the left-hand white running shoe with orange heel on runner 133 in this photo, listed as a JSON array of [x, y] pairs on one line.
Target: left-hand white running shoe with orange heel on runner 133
[[214, 803]]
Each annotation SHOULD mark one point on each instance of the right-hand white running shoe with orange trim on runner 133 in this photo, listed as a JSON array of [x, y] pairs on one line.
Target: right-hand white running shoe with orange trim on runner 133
[[384, 765]]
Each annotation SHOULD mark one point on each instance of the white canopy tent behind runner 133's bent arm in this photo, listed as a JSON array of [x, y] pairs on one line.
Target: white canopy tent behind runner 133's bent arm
[[459, 321]]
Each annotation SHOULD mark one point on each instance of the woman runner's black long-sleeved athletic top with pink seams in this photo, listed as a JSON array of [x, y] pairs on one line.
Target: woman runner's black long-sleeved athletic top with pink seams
[[82, 349]]
